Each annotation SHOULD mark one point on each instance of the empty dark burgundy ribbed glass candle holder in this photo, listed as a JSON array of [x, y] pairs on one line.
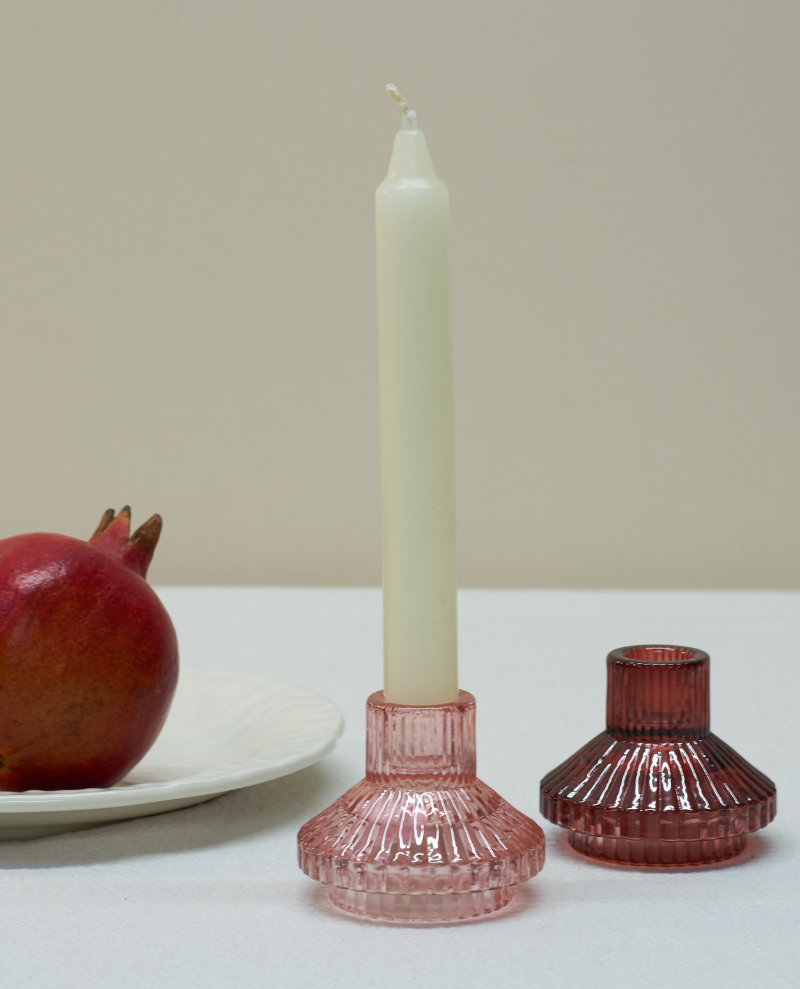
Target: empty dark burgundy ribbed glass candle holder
[[657, 787]]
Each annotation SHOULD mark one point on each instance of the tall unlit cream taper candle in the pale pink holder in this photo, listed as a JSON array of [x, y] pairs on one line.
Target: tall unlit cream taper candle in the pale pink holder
[[417, 443]]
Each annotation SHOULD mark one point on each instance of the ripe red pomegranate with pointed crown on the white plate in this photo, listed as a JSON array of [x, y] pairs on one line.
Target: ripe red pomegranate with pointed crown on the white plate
[[88, 656]]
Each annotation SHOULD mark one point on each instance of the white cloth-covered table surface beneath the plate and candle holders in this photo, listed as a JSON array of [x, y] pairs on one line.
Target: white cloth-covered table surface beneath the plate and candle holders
[[212, 896]]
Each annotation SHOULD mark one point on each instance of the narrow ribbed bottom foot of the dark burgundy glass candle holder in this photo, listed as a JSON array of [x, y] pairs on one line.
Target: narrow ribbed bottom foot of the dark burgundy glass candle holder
[[658, 854]]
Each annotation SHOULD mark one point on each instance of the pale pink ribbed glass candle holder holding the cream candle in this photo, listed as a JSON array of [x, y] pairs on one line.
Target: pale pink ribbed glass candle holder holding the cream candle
[[421, 839]]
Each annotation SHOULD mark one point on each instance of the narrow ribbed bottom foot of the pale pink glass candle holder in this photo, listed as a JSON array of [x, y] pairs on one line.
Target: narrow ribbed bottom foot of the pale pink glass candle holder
[[446, 908]]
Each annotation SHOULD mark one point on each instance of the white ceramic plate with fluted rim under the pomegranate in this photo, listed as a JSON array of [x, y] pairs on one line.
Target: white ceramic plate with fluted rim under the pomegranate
[[225, 730]]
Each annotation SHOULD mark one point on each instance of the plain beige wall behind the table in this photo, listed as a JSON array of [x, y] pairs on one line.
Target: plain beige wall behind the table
[[187, 281]]
